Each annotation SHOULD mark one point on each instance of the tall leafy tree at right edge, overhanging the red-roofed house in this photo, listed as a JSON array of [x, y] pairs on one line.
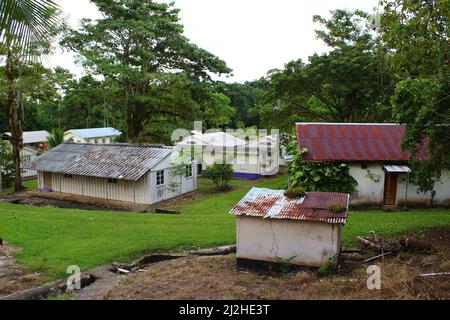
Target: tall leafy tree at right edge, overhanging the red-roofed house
[[417, 36]]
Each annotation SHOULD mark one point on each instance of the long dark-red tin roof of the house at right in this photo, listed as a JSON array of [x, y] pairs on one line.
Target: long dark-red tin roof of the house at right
[[352, 142]]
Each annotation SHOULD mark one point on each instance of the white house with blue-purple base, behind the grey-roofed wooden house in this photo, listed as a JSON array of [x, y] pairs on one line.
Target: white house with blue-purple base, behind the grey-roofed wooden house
[[250, 159]]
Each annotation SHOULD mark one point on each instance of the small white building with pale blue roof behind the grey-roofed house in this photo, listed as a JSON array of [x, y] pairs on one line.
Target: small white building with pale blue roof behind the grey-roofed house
[[94, 135]]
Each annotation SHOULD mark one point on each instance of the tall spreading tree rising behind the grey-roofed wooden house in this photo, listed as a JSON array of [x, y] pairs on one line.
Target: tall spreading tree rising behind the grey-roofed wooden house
[[135, 44]]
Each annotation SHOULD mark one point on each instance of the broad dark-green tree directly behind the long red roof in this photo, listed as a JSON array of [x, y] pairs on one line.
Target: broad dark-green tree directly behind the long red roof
[[345, 85]]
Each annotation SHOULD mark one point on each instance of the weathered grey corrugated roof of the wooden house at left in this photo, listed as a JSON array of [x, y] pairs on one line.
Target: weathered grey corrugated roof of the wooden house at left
[[115, 161]]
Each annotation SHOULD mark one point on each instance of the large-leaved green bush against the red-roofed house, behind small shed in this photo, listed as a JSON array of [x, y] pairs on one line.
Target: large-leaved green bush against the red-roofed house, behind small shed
[[320, 176]]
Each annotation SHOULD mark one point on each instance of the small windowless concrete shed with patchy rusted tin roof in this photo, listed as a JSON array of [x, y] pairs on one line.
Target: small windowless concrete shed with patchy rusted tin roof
[[271, 226]]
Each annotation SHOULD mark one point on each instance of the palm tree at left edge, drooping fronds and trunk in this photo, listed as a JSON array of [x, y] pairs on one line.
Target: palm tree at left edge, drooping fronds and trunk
[[26, 30]]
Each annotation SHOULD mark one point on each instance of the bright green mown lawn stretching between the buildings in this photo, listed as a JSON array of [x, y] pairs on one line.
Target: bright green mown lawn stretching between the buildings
[[53, 239]]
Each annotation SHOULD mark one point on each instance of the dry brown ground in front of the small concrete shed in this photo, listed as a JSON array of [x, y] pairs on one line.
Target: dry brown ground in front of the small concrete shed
[[218, 278]]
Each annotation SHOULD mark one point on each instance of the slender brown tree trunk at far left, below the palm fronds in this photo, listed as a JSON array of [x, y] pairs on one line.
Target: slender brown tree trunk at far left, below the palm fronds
[[15, 121]]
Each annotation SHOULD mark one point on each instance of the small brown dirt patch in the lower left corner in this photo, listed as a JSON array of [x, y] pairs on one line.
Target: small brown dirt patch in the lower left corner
[[13, 277]]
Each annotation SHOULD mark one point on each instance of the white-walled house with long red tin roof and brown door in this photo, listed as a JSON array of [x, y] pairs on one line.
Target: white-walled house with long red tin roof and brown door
[[375, 158]]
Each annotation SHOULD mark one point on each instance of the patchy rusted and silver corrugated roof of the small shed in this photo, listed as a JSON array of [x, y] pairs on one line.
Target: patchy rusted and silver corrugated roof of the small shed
[[273, 204]]
